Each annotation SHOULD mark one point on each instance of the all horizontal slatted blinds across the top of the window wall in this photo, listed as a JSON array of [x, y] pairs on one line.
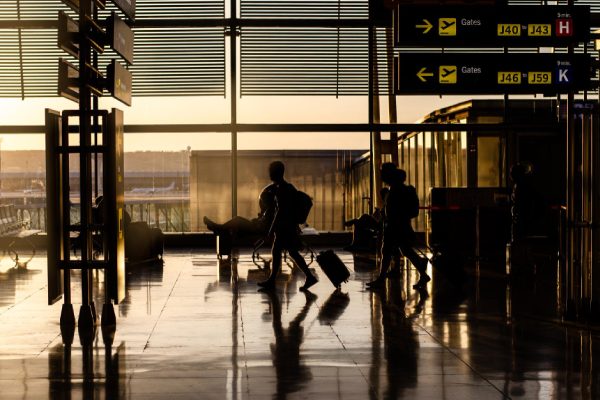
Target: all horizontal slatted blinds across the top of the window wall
[[180, 61]]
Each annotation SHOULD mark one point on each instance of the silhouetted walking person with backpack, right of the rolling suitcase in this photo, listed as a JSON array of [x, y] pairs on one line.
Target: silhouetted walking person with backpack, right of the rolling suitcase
[[400, 206]]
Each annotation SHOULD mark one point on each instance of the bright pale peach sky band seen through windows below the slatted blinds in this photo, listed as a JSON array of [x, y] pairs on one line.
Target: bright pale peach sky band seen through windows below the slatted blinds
[[201, 110]]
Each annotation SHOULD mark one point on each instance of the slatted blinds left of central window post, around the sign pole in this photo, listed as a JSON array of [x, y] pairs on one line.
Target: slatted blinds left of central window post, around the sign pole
[[174, 61]]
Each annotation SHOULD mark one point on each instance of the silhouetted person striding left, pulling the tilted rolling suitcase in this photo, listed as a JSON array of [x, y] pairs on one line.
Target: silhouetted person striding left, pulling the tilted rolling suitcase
[[285, 229]]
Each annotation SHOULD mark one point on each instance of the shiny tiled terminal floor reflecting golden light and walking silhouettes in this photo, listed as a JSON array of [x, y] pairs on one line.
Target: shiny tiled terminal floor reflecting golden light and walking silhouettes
[[194, 329]]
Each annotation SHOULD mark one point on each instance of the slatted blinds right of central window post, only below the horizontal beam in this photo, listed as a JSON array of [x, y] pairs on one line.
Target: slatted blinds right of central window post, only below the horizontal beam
[[301, 61]]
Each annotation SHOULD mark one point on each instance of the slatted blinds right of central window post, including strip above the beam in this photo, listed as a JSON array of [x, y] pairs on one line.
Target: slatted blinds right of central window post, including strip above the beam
[[307, 61]]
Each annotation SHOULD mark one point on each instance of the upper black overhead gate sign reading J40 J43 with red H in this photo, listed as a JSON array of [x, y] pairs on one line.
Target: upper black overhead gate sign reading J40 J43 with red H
[[480, 26]]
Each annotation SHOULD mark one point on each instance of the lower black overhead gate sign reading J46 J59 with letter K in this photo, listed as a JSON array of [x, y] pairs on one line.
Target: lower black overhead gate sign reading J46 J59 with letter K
[[476, 73]]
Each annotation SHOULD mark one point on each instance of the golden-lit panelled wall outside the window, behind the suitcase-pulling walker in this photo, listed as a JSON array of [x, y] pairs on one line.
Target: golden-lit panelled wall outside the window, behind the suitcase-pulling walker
[[322, 174]]
